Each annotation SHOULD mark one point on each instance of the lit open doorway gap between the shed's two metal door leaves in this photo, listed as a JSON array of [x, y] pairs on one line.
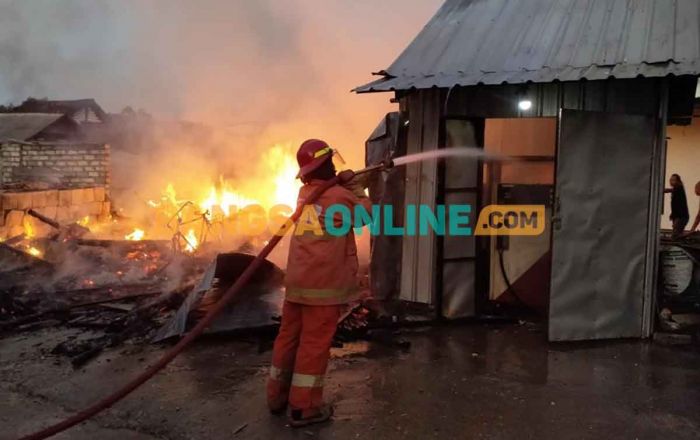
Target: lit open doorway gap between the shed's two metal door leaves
[[520, 266]]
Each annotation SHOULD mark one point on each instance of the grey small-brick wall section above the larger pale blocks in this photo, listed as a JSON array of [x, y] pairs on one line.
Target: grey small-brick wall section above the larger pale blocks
[[71, 165]]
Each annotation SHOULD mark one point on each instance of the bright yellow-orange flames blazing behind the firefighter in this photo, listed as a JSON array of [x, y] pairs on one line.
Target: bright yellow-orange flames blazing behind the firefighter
[[195, 211]]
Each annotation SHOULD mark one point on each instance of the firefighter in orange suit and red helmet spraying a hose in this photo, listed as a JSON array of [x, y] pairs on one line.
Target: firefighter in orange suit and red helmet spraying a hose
[[321, 278]]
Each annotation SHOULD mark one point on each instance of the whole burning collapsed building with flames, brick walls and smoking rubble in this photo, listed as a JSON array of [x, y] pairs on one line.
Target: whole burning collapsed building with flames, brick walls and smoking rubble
[[64, 243]]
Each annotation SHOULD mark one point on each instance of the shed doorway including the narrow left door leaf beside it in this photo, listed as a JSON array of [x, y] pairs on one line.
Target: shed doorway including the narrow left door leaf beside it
[[482, 272]]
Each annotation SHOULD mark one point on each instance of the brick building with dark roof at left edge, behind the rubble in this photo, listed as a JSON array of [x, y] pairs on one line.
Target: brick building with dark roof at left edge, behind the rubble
[[46, 164]]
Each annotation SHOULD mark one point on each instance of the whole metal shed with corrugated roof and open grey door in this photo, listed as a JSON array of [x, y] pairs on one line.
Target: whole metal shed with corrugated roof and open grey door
[[604, 77]]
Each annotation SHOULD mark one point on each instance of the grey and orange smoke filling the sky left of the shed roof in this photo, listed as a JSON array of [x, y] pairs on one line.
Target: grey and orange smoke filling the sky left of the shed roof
[[279, 71]]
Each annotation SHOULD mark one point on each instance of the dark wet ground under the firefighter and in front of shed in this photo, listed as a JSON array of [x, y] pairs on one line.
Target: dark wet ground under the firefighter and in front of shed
[[470, 381]]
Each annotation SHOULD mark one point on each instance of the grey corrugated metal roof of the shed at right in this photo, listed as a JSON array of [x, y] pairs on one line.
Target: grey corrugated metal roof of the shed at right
[[471, 42]]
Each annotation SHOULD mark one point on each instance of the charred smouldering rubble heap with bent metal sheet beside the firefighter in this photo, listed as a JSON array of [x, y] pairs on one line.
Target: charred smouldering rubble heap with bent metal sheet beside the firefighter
[[139, 291]]
